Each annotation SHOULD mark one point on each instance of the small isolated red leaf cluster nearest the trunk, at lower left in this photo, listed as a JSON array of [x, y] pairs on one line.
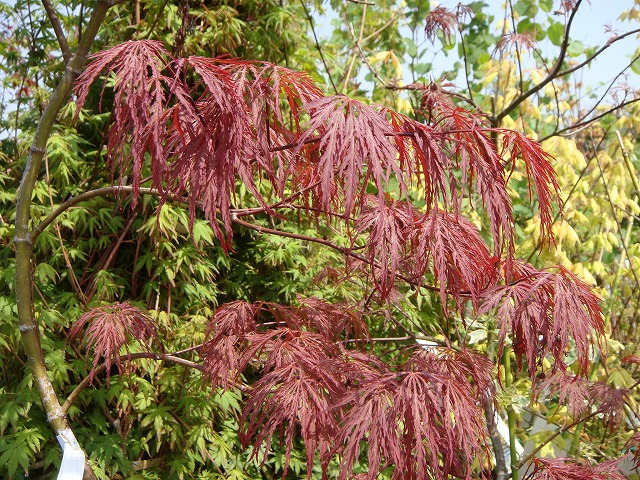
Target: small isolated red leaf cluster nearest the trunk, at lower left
[[108, 330]]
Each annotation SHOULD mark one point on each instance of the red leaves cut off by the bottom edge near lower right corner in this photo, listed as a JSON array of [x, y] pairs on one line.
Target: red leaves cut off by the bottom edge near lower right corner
[[573, 469]]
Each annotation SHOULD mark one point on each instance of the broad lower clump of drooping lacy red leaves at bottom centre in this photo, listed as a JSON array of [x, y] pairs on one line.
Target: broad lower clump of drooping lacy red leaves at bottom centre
[[422, 416]]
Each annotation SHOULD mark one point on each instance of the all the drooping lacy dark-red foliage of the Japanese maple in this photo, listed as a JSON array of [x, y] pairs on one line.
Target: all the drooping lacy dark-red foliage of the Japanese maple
[[207, 124]]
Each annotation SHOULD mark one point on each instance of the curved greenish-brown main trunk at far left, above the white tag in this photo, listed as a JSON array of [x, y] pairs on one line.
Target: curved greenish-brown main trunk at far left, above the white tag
[[27, 323]]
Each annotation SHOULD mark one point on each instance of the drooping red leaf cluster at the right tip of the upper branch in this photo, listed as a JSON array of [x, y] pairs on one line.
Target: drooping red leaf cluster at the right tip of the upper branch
[[543, 311]]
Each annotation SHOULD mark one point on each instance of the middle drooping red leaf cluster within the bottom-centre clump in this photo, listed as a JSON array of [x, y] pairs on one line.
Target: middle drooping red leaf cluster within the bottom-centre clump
[[301, 377]]
